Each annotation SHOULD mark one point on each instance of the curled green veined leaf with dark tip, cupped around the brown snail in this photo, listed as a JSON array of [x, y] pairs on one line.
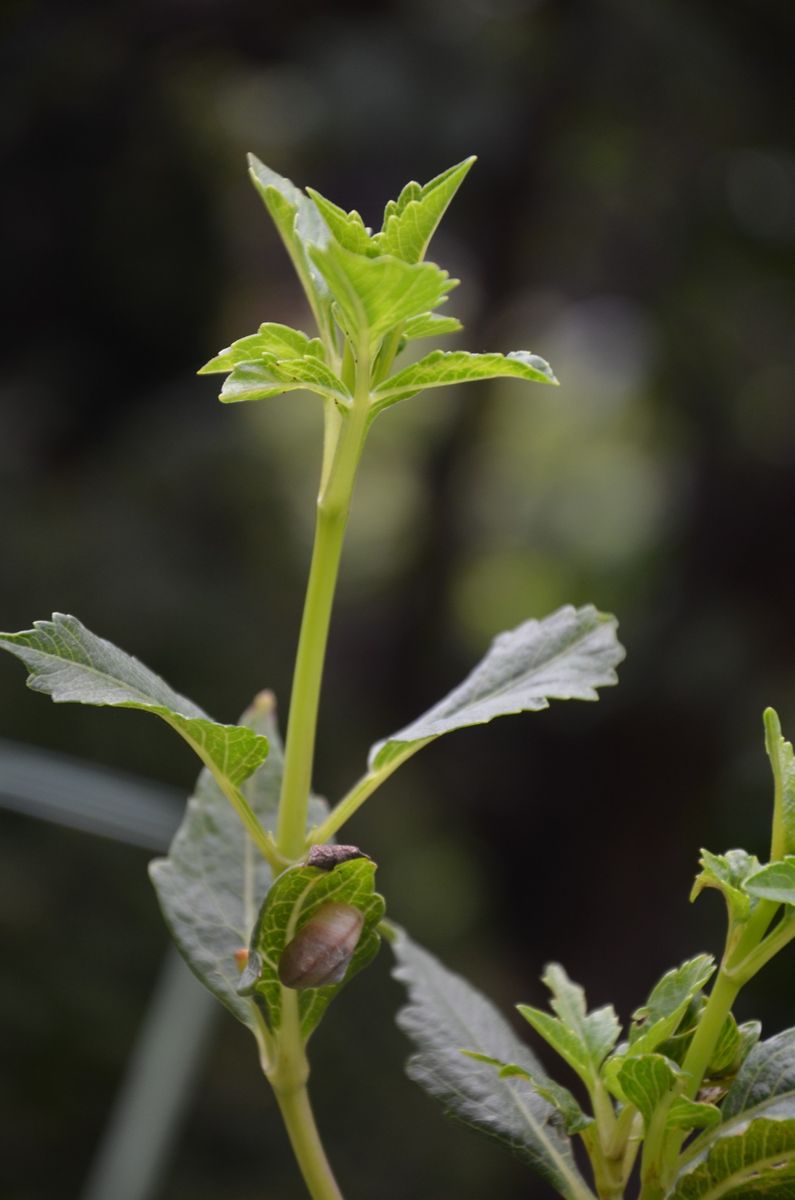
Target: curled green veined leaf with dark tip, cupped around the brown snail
[[294, 899]]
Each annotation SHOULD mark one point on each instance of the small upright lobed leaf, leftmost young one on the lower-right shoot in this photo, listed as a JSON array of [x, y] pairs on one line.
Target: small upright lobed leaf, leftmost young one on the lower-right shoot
[[584, 1040]]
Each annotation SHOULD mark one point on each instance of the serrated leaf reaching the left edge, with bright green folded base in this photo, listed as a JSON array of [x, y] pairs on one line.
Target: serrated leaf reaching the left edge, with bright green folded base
[[69, 663]]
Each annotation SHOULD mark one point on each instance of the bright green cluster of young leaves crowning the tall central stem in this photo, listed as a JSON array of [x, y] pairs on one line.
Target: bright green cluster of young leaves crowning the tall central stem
[[372, 295]]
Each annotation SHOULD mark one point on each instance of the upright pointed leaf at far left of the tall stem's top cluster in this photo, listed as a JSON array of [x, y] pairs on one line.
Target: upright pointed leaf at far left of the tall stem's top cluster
[[301, 226]]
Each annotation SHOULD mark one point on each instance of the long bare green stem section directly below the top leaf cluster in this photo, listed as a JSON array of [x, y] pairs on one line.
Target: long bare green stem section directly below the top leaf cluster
[[333, 508]]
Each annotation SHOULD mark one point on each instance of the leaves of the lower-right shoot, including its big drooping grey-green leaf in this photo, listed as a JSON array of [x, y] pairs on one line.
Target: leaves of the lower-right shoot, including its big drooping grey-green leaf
[[739, 1117]]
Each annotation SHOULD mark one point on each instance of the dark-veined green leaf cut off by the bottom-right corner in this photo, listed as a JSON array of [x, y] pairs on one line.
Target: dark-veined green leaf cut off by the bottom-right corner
[[757, 1161]]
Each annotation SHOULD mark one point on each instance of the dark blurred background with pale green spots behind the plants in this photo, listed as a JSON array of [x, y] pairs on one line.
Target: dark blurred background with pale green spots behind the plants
[[632, 219]]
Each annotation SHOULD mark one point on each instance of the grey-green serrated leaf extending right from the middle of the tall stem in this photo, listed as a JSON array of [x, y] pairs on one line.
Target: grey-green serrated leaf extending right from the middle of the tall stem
[[564, 657]]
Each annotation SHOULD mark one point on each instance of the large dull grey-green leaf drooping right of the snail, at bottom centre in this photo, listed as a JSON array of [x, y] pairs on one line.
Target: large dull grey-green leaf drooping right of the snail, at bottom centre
[[446, 1016]]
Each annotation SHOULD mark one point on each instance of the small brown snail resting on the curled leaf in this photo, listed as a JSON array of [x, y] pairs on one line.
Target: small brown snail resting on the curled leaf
[[322, 949]]
